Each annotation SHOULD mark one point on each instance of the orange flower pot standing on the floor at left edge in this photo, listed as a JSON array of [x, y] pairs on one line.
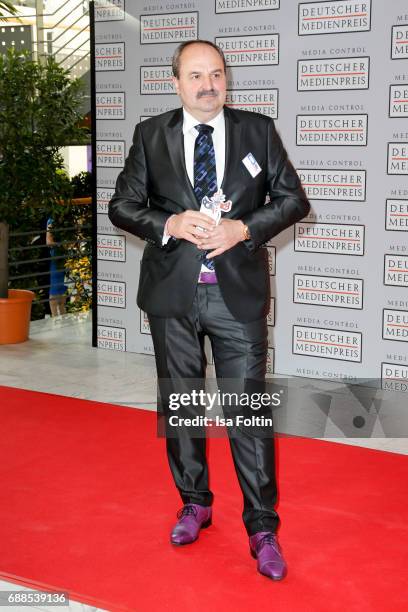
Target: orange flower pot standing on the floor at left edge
[[15, 314]]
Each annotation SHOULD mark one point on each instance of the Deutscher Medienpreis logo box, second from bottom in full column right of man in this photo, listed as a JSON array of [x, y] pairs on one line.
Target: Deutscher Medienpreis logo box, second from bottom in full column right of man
[[328, 291]]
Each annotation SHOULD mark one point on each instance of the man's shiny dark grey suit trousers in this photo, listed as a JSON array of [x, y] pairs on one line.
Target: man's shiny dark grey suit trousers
[[239, 351]]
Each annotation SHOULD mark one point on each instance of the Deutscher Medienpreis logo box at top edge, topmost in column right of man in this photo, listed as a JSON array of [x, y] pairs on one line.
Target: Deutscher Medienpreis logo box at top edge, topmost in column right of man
[[334, 17]]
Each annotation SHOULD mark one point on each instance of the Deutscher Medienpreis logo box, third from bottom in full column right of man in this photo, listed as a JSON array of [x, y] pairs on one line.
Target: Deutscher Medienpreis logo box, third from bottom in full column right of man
[[337, 238]]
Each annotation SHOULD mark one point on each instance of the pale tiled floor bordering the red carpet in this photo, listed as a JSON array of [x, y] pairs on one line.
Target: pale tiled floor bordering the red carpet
[[58, 358]]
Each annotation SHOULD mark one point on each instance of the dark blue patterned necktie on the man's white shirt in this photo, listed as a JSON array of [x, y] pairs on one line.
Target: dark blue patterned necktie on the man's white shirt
[[205, 171]]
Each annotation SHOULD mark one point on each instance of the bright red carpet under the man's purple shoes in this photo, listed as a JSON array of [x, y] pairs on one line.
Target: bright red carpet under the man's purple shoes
[[87, 502]]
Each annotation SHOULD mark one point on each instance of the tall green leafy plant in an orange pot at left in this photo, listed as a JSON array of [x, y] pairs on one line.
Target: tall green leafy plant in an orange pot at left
[[39, 113]]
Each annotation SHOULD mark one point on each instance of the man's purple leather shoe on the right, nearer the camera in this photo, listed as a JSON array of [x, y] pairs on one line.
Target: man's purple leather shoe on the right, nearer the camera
[[264, 547]]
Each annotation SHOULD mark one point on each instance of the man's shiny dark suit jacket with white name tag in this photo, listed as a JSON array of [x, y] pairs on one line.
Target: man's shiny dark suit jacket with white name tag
[[154, 184]]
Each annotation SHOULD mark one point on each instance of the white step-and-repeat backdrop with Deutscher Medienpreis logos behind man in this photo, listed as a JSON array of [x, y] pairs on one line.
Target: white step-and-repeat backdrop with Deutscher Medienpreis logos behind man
[[334, 76]]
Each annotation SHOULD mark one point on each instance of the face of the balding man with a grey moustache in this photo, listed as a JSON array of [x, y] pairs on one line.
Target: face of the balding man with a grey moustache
[[202, 82]]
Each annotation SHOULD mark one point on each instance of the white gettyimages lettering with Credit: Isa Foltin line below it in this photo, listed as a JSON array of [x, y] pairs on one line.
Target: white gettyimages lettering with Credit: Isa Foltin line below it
[[239, 408]]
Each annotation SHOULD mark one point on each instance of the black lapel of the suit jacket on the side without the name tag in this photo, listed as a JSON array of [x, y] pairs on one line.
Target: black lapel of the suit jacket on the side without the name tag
[[175, 144]]
